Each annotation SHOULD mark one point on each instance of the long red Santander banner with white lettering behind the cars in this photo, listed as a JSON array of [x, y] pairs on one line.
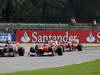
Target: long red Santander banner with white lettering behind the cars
[[39, 36]]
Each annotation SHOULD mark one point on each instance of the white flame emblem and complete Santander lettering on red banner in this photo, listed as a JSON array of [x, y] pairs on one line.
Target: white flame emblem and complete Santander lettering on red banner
[[36, 37]]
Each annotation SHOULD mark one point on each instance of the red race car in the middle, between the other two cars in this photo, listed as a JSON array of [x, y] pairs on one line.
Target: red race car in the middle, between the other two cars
[[41, 49]]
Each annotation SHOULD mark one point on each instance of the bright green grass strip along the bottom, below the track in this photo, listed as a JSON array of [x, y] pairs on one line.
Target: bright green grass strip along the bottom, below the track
[[87, 68]]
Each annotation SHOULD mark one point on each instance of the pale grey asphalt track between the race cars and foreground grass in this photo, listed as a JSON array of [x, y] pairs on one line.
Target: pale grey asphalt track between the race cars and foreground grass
[[14, 64]]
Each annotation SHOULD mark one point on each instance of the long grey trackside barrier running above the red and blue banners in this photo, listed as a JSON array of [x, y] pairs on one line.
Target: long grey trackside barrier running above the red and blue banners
[[12, 27]]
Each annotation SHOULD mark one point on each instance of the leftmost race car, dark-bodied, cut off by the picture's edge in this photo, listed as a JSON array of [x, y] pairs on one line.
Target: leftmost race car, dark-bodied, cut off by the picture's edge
[[11, 51]]
